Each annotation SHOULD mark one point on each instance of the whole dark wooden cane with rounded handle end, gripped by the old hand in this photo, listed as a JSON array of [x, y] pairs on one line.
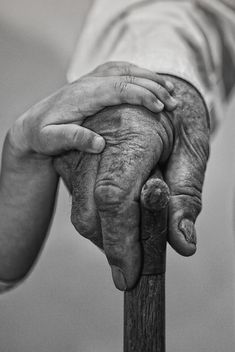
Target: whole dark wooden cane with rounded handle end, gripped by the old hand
[[144, 306]]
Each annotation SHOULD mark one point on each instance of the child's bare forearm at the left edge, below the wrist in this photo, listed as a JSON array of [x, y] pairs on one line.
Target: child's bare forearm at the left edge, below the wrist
[[27, 197]]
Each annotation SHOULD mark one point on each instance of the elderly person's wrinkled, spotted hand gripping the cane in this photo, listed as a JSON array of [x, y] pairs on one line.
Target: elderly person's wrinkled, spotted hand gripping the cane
[[106, 188]]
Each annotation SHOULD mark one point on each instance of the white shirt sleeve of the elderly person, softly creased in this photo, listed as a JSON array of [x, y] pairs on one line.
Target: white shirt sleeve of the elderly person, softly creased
[[190, 39]]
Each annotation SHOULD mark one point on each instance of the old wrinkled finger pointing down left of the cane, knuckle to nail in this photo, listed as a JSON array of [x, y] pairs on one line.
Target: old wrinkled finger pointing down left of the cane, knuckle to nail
[[120, 229]]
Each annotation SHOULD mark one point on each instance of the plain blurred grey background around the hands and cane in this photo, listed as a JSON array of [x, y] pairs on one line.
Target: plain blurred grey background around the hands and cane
[[68, 303]]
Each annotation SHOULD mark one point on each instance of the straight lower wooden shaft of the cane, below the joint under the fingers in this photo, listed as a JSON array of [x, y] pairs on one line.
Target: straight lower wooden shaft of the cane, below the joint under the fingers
[[144, 315]]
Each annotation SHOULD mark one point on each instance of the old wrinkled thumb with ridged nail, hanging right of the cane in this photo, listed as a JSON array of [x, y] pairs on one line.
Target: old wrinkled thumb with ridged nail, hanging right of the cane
[[185, 176]]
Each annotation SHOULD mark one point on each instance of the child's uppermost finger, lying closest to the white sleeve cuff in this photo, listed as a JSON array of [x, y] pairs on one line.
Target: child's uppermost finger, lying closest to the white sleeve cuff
[[122, 68]]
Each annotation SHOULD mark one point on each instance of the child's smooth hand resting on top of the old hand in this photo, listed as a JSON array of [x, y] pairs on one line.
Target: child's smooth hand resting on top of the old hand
[[54, 125]]
